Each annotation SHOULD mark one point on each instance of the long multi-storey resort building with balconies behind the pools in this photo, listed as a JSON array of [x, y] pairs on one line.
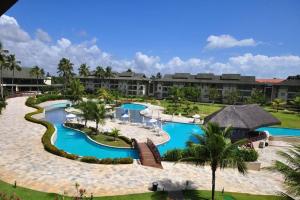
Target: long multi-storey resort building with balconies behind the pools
[[136, 84]]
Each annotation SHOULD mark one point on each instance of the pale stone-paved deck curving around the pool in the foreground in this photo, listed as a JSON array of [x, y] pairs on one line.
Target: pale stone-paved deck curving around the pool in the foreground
[[24, 159]]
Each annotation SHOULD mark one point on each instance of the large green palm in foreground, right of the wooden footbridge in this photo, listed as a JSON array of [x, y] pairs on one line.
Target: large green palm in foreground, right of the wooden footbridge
[[214, 147]]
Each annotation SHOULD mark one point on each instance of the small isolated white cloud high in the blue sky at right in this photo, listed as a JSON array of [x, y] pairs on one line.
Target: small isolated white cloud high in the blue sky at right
[[227, 41]]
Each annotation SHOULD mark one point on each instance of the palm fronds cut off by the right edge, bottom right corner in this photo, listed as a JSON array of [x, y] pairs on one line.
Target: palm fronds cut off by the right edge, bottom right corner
[[290, 169]]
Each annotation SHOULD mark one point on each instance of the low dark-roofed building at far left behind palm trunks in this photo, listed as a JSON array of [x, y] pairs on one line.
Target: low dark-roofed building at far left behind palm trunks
[[22, 80]]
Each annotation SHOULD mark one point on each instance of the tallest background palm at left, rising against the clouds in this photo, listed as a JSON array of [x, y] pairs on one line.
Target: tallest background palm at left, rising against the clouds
[[65, 70]]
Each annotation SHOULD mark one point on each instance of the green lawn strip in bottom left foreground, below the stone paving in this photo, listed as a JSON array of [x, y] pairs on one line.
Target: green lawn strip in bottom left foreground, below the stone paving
[[27, 194]]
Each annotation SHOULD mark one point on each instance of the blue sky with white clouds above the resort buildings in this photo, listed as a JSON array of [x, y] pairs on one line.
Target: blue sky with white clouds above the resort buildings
[[257, 37]]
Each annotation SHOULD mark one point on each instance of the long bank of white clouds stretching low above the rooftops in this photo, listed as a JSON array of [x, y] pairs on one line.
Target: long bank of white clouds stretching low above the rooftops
[[45, 53]]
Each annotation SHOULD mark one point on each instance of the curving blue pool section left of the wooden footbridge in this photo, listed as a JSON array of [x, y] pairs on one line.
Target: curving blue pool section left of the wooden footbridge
[[75, 142]]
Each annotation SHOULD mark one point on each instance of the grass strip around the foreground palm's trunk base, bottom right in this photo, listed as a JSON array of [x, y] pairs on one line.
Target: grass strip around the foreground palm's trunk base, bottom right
[[204, 194]]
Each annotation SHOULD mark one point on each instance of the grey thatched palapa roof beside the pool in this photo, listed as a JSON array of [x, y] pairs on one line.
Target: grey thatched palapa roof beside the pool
[[242, 117]]
